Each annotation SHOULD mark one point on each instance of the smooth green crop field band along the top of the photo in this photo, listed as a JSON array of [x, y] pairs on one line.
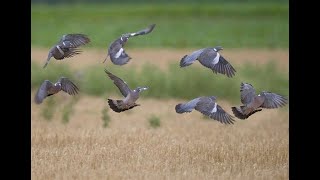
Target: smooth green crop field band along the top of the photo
[[232, 25]]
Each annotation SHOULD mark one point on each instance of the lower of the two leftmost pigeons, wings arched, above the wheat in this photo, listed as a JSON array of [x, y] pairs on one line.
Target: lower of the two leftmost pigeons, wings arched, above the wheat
[[47, 88]]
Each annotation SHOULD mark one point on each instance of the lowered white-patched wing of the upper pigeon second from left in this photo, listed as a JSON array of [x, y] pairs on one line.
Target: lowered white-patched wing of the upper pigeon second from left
[[118, 55]]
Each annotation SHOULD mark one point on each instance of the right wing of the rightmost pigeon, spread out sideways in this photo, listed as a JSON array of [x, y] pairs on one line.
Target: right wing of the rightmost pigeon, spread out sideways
[[273, 100]]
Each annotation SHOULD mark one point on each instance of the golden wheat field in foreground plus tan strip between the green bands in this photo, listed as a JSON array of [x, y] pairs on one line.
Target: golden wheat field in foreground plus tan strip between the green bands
[[185, 146]]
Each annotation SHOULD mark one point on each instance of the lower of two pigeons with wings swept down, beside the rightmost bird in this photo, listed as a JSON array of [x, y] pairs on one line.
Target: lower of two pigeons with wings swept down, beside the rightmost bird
[[207, 106]]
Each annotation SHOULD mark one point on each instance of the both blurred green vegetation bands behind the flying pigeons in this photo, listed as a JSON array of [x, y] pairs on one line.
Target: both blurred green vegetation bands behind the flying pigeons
[[189, 24]]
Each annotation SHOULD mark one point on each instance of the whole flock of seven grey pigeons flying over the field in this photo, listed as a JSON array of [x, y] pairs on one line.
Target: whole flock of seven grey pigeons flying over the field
[[209, 57]]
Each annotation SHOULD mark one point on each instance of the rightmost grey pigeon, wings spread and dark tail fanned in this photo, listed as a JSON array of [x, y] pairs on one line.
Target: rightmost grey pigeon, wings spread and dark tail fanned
[[253, 103]]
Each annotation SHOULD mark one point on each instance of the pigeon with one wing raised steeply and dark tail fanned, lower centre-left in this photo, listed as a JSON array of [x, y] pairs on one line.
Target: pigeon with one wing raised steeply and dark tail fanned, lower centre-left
[[131, 96]]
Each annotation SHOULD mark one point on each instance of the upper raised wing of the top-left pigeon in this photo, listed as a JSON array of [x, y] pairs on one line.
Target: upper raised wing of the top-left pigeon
[[73, 40]]
